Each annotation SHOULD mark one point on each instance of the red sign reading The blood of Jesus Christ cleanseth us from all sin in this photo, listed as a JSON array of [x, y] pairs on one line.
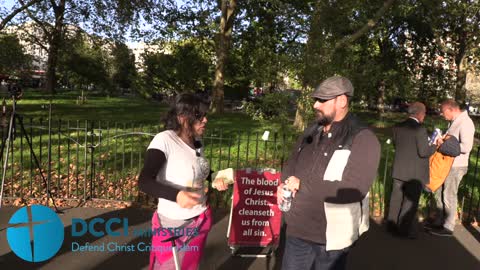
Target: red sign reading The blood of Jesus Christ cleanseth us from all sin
[[256, 218]]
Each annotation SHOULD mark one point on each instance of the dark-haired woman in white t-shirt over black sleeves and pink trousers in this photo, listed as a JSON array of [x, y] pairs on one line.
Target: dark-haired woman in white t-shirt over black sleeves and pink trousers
[[175, 171]]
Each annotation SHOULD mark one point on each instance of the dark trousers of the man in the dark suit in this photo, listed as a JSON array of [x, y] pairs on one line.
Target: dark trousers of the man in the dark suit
[[404, 205]]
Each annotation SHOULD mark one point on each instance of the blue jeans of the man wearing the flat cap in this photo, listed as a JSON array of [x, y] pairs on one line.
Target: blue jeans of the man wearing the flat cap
[[302, 254]]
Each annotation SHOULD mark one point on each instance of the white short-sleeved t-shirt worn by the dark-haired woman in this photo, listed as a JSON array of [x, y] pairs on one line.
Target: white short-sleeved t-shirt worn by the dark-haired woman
[[184, 169]]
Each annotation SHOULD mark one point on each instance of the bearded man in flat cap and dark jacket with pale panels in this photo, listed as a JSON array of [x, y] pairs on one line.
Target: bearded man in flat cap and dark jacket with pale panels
[[330, 171]]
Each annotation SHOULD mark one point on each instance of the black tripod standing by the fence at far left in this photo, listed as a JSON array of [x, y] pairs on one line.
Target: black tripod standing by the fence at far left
[[10, 137]]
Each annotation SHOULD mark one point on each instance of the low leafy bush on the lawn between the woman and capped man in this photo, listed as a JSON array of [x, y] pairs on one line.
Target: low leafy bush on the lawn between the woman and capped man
[[271, 106]]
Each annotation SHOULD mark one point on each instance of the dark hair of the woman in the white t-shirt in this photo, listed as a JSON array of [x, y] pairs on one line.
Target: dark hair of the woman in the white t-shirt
[[189, 105]]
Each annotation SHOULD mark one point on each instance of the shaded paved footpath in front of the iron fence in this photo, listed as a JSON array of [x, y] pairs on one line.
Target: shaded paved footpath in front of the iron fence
[[375, 250]]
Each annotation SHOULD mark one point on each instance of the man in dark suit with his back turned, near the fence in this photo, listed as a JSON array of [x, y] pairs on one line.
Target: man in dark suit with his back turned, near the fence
[[410, 171]]
